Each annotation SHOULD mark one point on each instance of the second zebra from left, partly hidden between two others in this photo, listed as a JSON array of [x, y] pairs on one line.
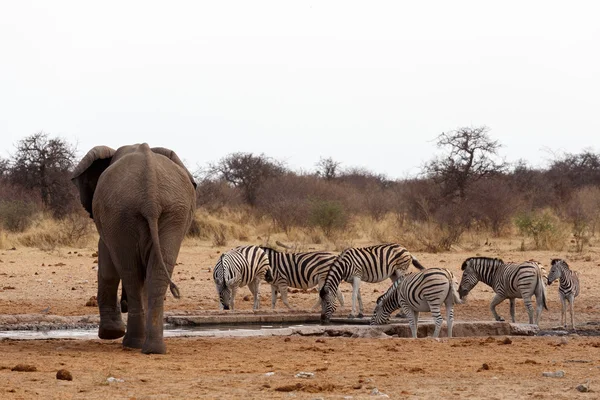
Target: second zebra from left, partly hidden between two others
[[298, 270]]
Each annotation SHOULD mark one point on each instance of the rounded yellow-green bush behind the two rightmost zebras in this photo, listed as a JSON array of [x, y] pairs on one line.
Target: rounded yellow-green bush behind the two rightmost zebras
[[544, 227]]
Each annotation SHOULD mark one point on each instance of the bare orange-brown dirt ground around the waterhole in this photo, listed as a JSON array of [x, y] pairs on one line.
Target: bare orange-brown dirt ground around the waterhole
[[61, 281]]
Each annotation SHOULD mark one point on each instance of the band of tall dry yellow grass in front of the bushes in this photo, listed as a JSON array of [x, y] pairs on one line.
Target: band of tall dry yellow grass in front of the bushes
[[229, 228]]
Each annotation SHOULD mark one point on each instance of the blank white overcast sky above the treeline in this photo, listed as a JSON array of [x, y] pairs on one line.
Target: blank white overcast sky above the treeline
[[370, 84]]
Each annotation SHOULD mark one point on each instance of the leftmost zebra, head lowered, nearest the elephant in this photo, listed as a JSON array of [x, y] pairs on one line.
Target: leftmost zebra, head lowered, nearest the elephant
[[241, 266]]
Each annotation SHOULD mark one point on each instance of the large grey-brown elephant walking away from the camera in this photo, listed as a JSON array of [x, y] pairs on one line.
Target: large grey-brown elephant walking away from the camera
[[142, 201]]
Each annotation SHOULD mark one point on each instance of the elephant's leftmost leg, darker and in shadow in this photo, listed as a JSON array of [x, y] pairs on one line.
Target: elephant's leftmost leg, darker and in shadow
[[111, 324]]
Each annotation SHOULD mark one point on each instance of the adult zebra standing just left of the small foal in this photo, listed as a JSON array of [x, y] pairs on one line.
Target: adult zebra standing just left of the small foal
[[509, 281]]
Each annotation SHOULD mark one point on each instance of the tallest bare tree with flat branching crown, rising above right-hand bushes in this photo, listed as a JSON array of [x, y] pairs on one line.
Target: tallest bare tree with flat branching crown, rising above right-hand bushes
[[471, 156]]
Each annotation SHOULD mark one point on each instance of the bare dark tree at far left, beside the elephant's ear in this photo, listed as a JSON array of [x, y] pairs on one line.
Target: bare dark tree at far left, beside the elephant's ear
[[43, 163]]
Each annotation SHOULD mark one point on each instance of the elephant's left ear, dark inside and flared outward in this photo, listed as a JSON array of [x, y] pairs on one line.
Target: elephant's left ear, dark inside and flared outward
[[88, 171]]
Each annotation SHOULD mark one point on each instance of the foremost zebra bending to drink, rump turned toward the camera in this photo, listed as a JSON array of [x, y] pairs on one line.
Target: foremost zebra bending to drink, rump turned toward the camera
[[417, 292]]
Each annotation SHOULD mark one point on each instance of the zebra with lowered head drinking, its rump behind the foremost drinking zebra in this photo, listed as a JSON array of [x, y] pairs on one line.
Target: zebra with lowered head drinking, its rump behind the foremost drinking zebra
[[370, 264]]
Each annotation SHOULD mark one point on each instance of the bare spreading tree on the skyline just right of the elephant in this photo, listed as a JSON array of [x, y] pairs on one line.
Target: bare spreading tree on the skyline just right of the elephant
[[247, 172]]
